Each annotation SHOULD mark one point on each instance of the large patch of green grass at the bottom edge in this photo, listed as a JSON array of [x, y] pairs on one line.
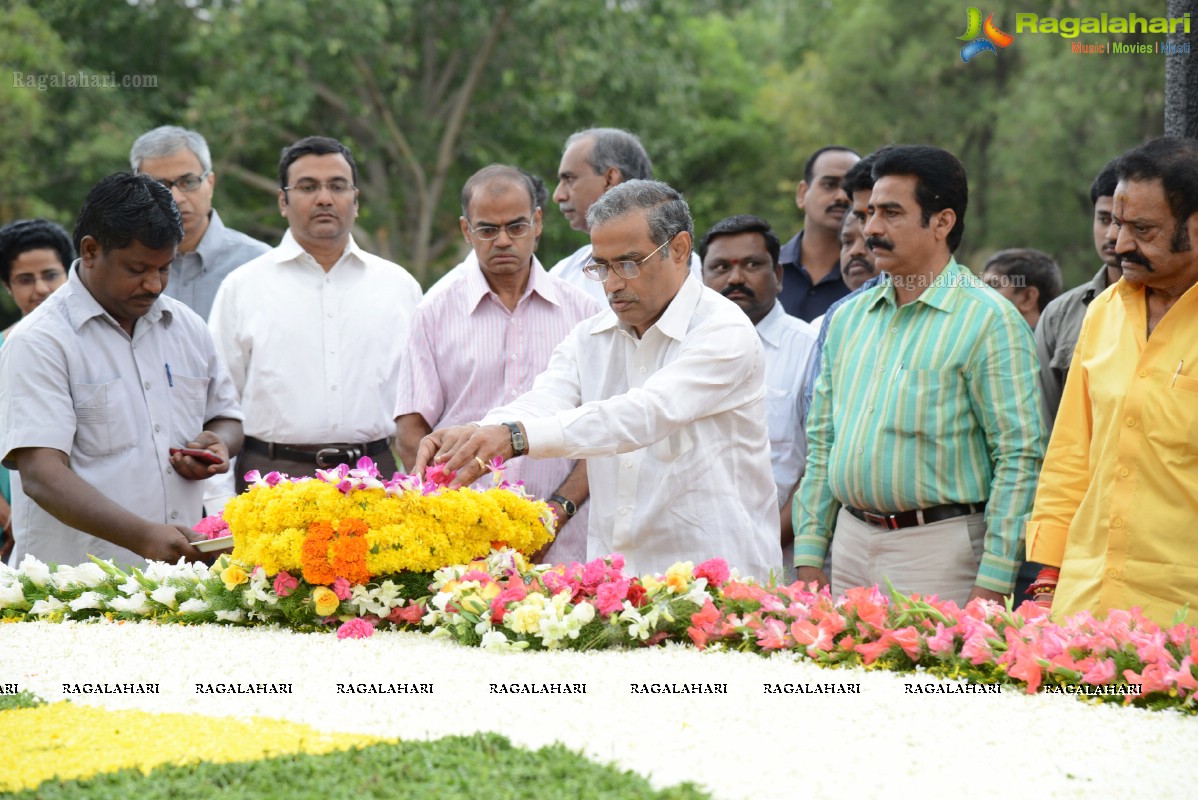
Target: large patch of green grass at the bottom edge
[[481, 766]]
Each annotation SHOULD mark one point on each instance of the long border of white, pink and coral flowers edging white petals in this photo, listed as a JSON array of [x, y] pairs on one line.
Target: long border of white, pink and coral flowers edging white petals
[[503, 602]]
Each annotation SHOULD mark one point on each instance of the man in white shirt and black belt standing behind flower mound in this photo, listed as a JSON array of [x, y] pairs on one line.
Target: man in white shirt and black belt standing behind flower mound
[[313, 331]]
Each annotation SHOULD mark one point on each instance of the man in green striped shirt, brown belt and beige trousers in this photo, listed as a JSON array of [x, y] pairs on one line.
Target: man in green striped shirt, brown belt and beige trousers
[[925, 433]]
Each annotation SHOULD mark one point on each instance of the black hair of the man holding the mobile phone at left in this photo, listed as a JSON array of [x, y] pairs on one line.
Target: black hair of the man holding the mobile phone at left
[[125, 208]]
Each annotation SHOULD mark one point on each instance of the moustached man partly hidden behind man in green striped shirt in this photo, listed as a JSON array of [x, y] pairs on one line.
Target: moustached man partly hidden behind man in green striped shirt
[[740, 257]]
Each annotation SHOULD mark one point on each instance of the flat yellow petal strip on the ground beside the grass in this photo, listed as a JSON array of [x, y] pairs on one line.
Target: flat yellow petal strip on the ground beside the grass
[[65, 742]]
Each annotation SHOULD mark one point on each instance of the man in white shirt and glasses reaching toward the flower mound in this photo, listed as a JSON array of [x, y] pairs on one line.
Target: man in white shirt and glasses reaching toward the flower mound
[[663, 395]]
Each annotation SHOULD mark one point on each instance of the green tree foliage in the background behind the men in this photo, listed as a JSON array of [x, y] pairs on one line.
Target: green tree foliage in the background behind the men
[[729, 99]]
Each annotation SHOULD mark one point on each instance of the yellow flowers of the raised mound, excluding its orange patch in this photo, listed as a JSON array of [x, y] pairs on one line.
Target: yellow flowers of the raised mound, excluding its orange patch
[[408, 532]]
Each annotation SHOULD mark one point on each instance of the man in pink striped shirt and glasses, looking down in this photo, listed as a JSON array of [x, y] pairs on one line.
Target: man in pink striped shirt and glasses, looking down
[[481, 343]]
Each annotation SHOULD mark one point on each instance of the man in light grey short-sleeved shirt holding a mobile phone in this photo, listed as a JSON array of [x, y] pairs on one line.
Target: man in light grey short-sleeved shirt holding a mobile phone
[[102, 383]]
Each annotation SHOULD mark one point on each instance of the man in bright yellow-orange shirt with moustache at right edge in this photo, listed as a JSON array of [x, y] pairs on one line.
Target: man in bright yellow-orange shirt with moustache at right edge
[[1117, 506]]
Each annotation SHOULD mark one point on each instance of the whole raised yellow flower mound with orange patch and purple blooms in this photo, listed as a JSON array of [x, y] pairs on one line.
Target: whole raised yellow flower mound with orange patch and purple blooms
[[350, 524]]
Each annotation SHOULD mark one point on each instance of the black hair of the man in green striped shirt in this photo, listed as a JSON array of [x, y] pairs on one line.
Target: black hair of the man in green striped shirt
[[941, 183]]
